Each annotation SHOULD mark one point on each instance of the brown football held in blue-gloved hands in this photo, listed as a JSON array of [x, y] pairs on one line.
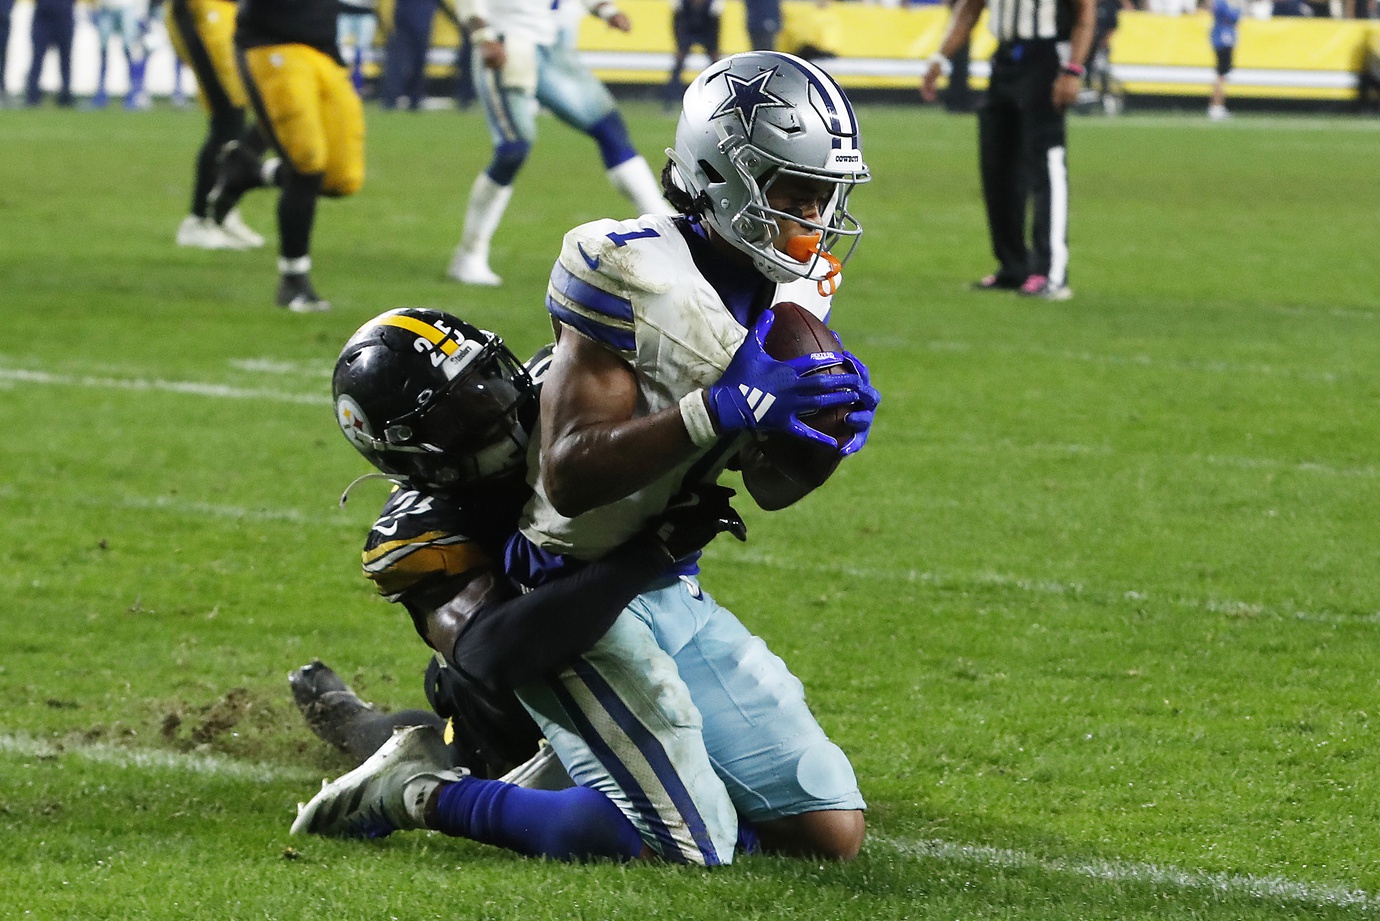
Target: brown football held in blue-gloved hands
[[797, 332]]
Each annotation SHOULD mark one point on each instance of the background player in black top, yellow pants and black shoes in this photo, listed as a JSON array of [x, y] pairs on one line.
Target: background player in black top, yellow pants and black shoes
[[308, 108]]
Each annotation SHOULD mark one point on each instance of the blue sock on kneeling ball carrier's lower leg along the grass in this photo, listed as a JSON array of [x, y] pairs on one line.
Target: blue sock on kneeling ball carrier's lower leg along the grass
[[579, 824]]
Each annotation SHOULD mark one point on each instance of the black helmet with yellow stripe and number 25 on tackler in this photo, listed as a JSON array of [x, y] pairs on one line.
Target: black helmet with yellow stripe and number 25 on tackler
[[433, 401]]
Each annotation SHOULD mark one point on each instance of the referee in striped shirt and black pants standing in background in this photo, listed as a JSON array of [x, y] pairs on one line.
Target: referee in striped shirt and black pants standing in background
[[1037, 72]]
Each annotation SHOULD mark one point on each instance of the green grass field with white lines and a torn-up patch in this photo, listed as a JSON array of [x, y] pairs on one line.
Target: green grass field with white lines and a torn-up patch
[[1095, 614]]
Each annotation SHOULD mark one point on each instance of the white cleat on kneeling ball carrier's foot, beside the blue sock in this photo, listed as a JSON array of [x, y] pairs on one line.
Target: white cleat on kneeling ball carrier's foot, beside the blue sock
[[387, 793]]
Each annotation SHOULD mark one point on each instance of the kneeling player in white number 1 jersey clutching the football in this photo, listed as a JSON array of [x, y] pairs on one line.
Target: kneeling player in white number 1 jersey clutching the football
[[660, 328]]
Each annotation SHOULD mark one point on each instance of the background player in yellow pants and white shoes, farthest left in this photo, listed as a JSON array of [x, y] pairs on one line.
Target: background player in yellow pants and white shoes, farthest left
[[202, 34]]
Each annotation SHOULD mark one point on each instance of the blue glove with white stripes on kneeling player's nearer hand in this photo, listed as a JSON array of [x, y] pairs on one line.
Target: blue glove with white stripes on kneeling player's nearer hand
[[762, 394]]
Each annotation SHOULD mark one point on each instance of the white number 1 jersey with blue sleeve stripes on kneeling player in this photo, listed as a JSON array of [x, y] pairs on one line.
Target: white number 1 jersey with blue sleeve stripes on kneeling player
[[635, 288]]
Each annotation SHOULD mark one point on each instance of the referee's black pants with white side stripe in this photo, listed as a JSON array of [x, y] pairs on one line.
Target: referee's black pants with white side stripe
[[1022, 153]]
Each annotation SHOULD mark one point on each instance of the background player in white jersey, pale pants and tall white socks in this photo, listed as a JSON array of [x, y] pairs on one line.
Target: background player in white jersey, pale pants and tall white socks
[[520, 63]]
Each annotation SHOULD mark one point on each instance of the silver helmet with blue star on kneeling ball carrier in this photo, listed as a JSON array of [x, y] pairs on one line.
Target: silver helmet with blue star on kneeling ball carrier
[[751, 121]]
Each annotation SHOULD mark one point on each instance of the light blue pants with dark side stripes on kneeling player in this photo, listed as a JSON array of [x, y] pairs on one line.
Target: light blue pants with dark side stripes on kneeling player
[[685, 720]]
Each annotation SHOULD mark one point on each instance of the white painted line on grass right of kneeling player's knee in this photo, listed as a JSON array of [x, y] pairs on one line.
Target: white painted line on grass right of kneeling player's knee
[[1280, 889]]
